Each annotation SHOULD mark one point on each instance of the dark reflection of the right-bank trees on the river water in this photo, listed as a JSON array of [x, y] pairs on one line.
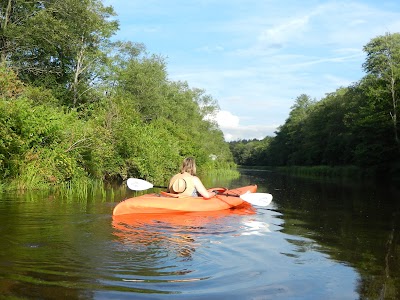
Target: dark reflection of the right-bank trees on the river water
[[355, 223]]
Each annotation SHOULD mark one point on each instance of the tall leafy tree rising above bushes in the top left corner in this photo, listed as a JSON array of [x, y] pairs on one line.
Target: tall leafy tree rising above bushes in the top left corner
[[56, 43]]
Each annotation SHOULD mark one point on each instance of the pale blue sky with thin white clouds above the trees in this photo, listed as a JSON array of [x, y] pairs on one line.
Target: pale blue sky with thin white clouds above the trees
[[255, 57]]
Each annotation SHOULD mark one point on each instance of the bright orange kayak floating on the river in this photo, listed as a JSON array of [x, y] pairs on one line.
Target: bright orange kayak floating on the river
[[159, 203]]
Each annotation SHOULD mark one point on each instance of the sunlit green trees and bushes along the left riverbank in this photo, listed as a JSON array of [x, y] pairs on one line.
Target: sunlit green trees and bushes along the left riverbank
[[76, 106]]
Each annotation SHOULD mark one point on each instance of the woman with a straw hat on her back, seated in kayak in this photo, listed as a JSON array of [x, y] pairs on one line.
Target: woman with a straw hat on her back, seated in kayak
[[187, 183]]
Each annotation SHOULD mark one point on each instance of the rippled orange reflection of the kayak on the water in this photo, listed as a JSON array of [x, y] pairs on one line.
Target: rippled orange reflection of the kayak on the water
[[176, 232]]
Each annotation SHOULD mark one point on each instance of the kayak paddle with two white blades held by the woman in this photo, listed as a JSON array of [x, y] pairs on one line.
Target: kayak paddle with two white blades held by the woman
[[260, 199]]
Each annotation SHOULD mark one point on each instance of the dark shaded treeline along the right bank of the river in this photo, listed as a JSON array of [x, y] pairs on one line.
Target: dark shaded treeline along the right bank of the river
[[353, 126]]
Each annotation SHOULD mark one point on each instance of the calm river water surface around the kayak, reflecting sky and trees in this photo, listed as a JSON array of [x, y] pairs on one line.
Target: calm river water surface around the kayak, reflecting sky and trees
[[317, 240]]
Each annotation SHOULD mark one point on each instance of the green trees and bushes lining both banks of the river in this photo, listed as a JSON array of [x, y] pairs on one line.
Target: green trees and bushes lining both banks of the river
[[77, 105]]
